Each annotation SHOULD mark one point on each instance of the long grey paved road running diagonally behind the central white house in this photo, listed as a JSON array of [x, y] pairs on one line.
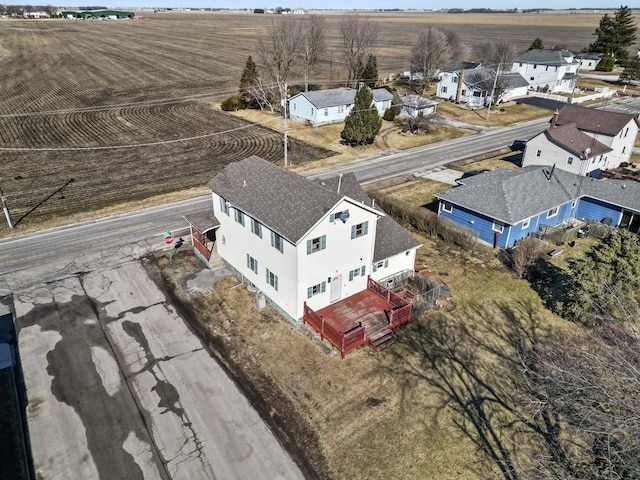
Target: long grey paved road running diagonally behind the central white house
[[49, 254]]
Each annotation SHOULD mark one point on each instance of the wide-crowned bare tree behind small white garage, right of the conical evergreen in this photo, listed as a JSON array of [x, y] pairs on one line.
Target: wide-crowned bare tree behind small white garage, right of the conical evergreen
[[433, 48]]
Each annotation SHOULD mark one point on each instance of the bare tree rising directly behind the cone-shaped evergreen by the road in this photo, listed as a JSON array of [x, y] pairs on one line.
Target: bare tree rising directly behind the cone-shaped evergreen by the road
[[358, 37]]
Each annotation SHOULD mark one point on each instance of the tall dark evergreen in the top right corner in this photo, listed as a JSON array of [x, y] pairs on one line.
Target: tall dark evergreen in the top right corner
[[615, 34]]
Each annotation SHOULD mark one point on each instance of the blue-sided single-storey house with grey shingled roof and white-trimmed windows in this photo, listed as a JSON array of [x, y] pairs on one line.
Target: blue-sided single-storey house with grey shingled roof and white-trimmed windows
[[503, 206]]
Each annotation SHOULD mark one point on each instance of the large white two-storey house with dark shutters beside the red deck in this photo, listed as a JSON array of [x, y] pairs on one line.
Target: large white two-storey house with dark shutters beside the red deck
[[298, 240]]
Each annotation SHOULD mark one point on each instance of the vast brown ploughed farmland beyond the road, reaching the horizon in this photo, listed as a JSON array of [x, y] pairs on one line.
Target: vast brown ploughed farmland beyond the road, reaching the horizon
[[73, 90]]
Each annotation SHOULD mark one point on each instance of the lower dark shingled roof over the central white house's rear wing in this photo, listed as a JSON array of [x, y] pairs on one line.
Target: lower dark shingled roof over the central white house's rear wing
[[391, 238]]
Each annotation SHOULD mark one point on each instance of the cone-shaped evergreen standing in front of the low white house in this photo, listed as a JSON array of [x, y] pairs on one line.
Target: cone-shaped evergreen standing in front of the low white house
[[363, 122]]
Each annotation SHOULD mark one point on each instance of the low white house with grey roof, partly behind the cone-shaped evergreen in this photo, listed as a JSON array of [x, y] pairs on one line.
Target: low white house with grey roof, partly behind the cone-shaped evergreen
[[328, 106]]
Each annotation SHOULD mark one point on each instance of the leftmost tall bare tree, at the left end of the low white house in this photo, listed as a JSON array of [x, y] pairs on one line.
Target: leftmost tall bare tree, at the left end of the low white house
[[279, 49]]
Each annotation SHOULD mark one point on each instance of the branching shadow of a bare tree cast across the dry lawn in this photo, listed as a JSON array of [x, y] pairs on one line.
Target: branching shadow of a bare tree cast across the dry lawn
[[481, 362]]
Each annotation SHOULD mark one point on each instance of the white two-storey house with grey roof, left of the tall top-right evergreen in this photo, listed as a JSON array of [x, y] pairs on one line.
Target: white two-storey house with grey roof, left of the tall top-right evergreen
[[550, 70]]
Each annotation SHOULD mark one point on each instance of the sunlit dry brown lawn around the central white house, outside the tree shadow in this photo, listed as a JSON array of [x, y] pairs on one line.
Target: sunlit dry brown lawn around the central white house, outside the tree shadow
[[360, 417]]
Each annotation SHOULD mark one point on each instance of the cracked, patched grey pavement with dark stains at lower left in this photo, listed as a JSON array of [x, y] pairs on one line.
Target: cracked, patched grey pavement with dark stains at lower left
[[119, 388]]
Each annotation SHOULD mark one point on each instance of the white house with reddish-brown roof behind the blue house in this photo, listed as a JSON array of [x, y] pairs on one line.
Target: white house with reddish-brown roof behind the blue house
[[584, 140]]
